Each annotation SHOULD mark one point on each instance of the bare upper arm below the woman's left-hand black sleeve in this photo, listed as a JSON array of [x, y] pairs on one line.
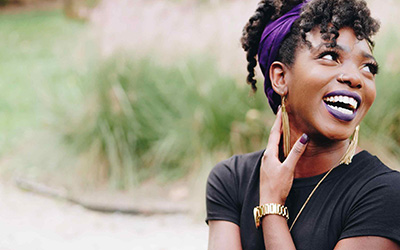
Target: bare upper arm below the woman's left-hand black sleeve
[[223, 235]]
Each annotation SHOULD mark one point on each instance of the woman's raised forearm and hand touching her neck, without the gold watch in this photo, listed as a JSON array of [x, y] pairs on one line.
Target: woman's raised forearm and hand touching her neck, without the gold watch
[[276, 180]]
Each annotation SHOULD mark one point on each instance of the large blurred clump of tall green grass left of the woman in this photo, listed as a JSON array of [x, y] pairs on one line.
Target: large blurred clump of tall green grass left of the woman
[[146, 119]]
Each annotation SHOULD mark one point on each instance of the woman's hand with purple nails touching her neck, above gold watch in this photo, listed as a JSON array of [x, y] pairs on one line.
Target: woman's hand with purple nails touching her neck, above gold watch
[[276, 177]]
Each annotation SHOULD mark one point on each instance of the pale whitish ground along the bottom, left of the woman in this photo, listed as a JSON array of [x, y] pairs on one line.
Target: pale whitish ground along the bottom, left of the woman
[[31, 221]]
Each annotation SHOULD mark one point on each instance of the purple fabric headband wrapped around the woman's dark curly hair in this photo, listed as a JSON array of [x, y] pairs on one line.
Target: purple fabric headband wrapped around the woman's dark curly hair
[[270, 42]]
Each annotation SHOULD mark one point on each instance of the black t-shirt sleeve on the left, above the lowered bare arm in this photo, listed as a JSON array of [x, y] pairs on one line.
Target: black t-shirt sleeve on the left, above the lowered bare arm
[[222, 193]]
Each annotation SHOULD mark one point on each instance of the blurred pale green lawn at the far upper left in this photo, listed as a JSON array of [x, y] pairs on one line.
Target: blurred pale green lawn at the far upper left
[[36, 66]]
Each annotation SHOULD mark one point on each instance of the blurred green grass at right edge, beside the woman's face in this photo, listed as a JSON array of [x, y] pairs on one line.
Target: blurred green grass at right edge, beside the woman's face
[[382, 123]]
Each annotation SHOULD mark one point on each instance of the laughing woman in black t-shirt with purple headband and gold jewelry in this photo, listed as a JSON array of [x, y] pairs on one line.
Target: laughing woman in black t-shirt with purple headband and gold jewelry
[[319, 73]]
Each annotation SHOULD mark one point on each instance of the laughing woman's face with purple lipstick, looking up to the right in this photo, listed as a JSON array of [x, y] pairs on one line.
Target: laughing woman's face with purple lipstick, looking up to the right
[[331, 89]]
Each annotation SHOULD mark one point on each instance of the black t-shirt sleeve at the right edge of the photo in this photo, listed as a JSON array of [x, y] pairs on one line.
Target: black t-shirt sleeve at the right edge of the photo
[[376, 210]]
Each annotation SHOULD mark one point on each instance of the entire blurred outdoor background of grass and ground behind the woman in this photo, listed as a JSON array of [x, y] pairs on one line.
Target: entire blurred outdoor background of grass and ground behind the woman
[[113, 112]]
